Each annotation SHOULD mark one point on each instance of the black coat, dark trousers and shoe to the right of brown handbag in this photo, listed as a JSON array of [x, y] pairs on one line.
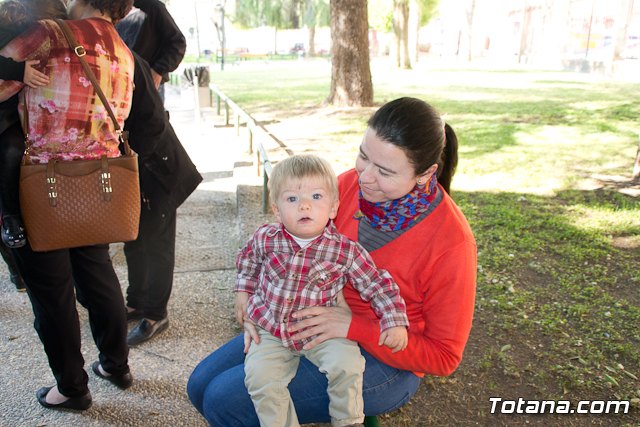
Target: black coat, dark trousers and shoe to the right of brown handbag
[[167, 178]]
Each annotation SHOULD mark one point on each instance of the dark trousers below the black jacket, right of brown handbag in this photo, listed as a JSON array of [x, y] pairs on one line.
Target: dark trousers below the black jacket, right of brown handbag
[[151, 259]]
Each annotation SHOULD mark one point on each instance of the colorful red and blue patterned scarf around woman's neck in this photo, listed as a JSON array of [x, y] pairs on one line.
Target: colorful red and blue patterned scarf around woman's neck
[[398, 214]]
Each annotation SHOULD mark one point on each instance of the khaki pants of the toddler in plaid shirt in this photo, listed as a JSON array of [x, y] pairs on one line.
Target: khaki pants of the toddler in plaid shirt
[[269, 367]]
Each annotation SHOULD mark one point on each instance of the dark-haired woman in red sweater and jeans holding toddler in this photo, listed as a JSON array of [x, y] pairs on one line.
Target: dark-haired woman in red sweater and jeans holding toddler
[[396, 204]]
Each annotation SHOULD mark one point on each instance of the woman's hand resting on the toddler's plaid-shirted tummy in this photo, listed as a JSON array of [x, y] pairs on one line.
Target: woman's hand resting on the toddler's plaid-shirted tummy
[[323, 323]]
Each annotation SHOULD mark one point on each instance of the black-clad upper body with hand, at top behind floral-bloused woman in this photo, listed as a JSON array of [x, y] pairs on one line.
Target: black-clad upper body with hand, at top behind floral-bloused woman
[[150, 31]]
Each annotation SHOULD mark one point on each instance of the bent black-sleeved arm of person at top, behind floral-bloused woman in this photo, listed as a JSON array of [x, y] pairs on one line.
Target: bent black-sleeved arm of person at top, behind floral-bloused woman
[[173, 44]]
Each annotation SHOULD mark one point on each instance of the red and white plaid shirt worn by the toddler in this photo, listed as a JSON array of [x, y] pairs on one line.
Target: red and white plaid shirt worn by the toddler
[[283, 278]]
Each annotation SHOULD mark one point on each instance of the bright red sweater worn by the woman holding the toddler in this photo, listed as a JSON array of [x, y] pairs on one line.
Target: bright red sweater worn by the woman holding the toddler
[[434, 265]]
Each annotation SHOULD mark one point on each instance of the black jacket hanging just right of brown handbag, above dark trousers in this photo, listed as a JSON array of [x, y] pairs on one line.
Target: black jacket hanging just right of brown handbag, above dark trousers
[[162, 158]]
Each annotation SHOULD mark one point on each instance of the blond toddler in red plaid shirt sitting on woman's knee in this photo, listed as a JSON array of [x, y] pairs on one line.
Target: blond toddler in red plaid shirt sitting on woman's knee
[[302, 261]]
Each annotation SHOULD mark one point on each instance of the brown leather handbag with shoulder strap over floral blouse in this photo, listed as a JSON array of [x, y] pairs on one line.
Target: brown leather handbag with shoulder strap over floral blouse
[[67, 204]]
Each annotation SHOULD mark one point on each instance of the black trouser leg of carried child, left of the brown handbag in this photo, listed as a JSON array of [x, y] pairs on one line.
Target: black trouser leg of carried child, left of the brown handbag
[[11, 150]]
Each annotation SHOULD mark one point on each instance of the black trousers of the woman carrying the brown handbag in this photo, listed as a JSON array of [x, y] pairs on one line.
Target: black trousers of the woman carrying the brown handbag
[[50, 278]]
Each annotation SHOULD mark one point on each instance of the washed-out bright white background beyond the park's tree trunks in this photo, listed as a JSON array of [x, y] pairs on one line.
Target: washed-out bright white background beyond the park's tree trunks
[[581, 35]]
